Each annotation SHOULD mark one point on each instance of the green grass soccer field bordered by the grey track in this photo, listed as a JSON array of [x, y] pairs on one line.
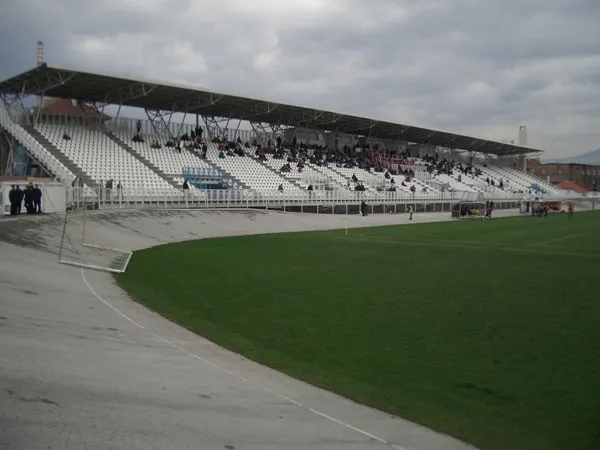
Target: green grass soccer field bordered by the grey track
[[486, 330]]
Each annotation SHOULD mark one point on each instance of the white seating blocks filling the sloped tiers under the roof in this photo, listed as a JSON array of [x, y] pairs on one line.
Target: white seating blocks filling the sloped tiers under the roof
[[102, 158]]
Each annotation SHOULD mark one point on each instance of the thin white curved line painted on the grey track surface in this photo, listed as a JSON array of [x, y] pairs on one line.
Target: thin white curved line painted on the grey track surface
[[239, 377]]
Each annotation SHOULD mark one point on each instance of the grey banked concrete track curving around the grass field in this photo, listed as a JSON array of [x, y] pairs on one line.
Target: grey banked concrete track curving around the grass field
[[82, 366]]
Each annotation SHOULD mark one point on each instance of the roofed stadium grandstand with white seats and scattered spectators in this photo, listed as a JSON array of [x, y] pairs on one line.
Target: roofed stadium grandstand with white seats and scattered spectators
[[233, 149]]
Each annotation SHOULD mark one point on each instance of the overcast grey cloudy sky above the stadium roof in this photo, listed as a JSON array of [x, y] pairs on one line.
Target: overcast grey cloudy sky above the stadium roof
[[480, 67]]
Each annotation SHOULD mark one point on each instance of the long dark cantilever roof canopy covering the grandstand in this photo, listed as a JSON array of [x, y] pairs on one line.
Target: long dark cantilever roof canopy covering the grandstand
[[93, 87]]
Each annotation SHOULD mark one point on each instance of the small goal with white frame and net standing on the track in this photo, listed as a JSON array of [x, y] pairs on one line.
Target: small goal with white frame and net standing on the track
[[81, 248]]
